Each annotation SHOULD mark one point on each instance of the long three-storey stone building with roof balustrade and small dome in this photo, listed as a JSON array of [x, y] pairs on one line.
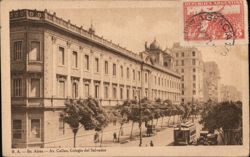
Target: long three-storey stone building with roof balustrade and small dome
[[52, 60]]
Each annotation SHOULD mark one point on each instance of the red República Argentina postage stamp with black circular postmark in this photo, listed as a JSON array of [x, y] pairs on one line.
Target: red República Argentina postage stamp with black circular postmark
[[221, 20]]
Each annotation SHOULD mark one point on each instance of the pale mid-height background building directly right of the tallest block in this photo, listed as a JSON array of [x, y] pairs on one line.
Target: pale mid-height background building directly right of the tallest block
[[211, 81]]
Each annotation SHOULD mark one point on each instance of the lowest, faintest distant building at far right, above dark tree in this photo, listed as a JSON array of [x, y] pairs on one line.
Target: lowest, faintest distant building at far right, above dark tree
[[229, 93]]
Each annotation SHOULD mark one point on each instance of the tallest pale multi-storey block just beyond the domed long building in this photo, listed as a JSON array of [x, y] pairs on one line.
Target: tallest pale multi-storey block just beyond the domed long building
[[189, 64]]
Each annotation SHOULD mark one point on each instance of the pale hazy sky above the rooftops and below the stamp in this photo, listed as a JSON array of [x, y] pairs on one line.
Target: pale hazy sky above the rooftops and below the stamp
[[131, 27]]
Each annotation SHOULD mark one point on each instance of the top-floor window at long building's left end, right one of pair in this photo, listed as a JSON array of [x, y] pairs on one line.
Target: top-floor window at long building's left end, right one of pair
[[34, 54]]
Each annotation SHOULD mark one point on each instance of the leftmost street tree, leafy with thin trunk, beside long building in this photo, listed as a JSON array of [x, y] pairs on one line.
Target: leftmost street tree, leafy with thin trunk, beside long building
[[87, 112]]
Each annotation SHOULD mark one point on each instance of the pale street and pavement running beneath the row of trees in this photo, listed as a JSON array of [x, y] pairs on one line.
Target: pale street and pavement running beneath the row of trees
[[163, 137]]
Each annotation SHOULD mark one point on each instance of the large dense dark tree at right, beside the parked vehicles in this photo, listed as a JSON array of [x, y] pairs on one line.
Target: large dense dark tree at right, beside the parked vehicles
[[226, 116]]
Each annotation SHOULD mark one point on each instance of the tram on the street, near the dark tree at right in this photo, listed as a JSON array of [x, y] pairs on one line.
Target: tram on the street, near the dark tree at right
[[184, 134]]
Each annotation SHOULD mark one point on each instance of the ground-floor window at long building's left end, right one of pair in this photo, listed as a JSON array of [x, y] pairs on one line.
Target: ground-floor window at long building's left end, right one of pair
[[35, 132]]
